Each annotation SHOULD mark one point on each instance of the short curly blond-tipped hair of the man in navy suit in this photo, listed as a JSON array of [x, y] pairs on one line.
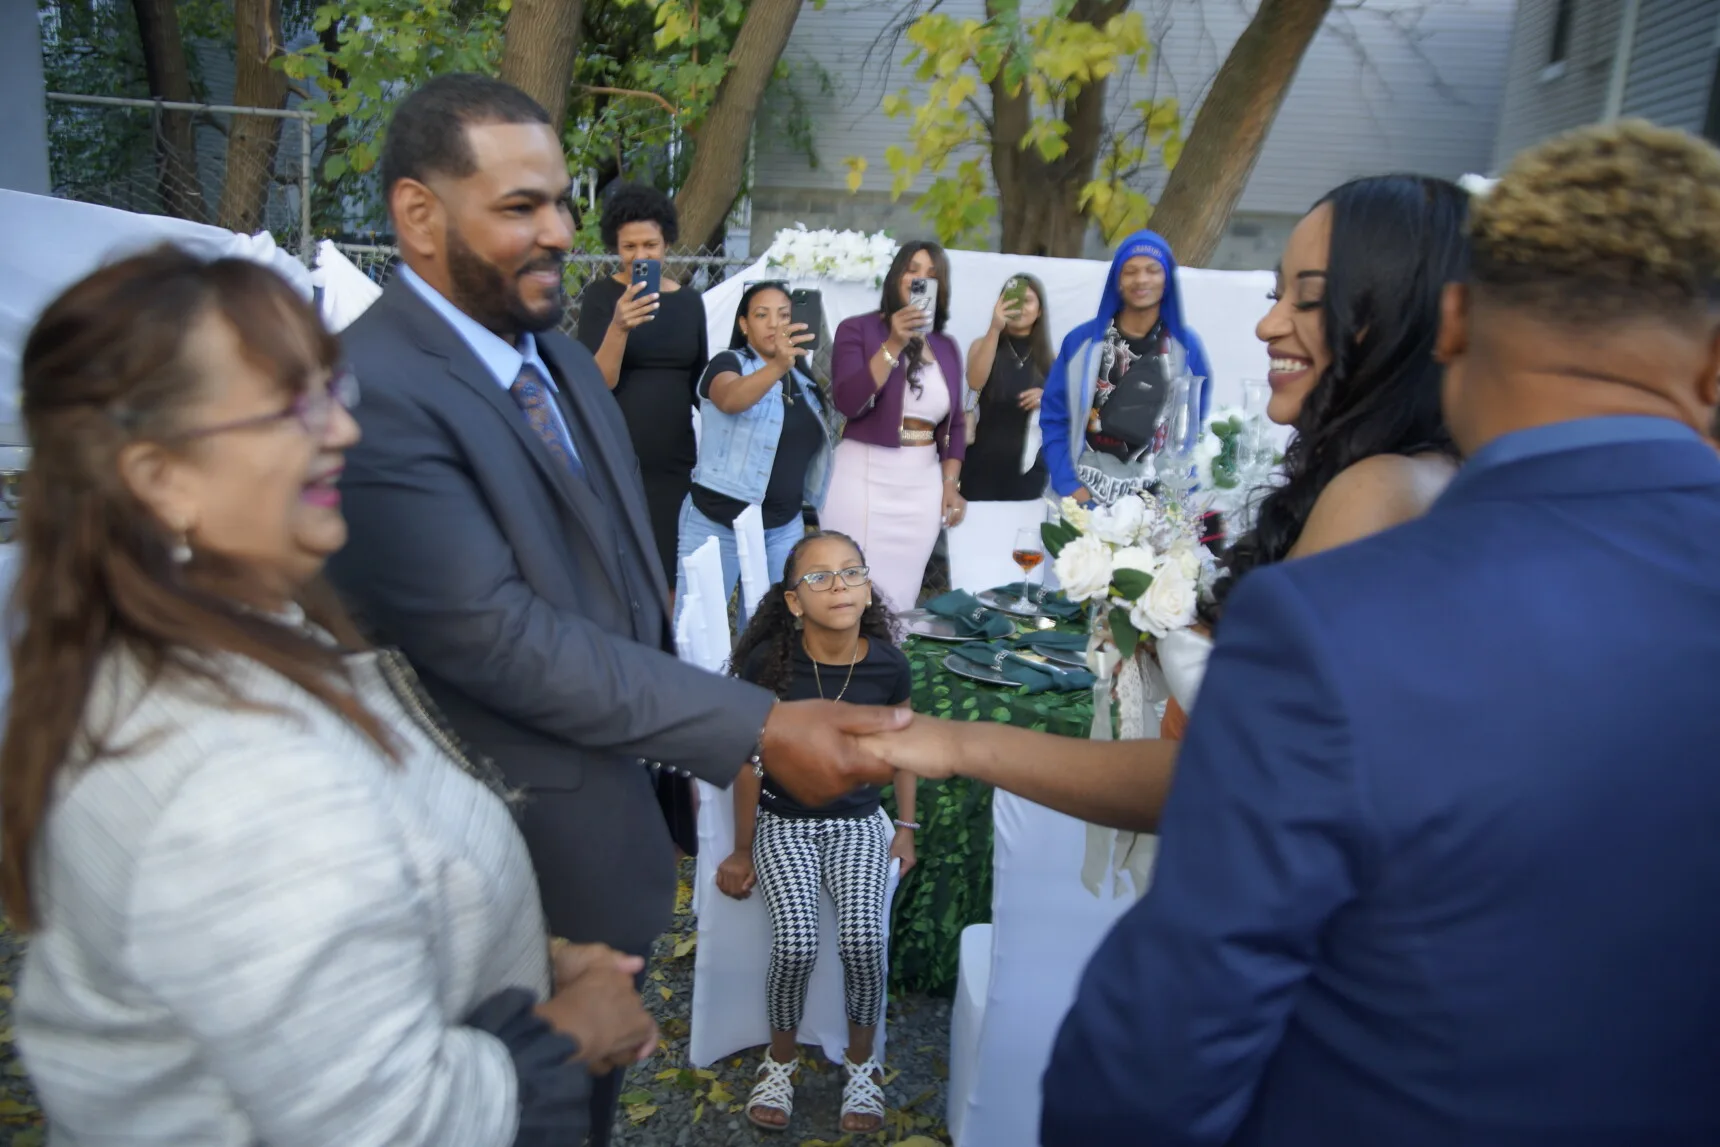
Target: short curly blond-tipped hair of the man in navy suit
[[1606, 223]]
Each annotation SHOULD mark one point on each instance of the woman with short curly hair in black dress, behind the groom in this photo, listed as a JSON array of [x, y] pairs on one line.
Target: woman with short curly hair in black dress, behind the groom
[[653, 353]]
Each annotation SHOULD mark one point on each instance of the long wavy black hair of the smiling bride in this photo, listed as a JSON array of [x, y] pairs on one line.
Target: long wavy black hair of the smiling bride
[[1396, 243]]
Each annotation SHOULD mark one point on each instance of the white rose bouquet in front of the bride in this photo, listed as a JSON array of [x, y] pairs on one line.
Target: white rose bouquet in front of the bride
[[1138, 563]]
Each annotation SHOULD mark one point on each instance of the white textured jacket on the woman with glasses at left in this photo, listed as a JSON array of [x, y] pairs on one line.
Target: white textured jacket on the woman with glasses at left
[[259, 929]]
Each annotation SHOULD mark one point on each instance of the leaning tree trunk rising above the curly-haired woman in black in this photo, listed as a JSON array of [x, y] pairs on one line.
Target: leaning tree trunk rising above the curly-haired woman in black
[[720, 150]]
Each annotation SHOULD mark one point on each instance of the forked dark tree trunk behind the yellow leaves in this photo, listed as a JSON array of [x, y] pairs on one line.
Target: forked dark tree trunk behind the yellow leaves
[[1038, 200]]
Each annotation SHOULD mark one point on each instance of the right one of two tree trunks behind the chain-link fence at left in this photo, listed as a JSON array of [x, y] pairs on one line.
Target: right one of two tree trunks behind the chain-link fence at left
[[252, 138]]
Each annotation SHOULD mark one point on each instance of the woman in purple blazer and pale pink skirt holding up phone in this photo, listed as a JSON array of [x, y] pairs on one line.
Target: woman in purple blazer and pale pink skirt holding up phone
[[897, 377]]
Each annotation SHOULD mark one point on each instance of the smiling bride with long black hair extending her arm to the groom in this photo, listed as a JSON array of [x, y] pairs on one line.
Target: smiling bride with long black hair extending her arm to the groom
[[1351, 338]]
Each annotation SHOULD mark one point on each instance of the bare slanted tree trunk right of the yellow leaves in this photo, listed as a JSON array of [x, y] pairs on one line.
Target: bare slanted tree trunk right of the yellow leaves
[[1232, 126]]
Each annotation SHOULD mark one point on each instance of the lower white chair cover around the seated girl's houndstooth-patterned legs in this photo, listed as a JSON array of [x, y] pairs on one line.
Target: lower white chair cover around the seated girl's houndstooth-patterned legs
[[735, 954]]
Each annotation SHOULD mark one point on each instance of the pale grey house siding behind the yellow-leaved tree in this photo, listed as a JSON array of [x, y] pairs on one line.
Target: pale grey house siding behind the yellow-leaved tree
[[1396, 85]]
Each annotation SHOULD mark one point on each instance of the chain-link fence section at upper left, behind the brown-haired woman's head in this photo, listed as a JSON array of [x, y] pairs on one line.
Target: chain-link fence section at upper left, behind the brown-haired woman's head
[[243, 169]]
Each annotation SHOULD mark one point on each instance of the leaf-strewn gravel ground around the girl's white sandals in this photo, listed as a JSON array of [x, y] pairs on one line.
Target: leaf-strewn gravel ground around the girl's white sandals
[[668, 1105]]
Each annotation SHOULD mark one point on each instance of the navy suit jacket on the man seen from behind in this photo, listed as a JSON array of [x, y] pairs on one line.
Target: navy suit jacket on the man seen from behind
[[1442, 861]]
